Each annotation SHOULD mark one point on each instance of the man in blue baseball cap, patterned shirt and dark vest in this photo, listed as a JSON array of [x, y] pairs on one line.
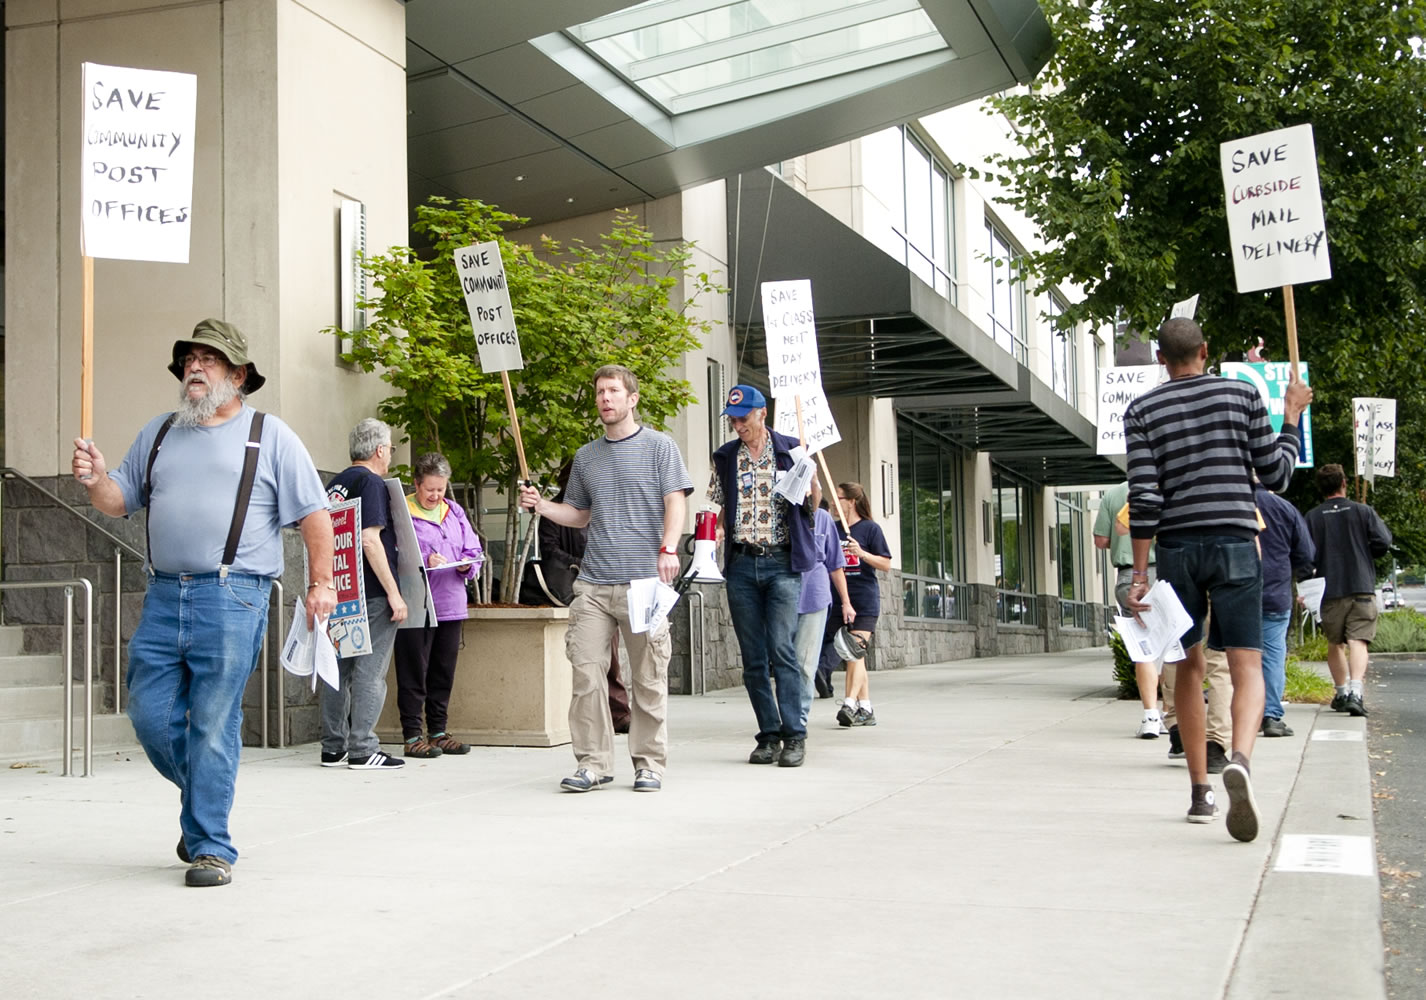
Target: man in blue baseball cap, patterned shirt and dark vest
[[769, 547]]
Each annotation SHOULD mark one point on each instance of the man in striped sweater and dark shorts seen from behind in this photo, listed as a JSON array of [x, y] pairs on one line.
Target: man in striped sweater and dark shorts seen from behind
[[1194, 444]]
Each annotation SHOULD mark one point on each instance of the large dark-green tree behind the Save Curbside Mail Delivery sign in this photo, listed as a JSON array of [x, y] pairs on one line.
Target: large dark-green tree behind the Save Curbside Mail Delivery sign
[[1120, 173]]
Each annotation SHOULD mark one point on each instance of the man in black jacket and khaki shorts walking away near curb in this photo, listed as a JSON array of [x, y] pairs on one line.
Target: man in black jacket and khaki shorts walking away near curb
[[1348, 539]]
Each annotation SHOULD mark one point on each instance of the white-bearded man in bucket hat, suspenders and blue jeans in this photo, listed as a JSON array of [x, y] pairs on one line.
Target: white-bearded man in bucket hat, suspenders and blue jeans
[[219, 481]]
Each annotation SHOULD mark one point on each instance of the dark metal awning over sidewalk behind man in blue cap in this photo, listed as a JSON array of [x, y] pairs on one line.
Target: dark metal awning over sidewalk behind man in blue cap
[[885, 333]]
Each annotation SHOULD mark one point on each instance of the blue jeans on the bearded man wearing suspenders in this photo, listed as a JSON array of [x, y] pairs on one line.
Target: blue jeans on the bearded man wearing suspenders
[[189, 663]]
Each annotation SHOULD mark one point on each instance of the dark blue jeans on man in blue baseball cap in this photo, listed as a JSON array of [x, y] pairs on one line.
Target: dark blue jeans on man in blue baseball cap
[[764, 596]]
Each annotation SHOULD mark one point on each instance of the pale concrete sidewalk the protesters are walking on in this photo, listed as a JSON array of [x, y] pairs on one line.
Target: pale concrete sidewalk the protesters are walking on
[[1000, 835]]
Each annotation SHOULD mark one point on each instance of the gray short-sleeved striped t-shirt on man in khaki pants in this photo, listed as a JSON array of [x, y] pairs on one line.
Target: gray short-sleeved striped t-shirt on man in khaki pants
[[622, 484]]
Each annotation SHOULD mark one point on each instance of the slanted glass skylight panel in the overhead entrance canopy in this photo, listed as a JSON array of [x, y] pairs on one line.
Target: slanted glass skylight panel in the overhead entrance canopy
[[689, 55]]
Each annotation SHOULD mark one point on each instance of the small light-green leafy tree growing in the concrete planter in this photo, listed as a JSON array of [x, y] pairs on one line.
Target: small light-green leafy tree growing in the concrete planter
[[577, 307]]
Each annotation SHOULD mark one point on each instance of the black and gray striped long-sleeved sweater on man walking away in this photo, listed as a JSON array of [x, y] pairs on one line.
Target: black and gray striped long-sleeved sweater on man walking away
[[1194, 444]]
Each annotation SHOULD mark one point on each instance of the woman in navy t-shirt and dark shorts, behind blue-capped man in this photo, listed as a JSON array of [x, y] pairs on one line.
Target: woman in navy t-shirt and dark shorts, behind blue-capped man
[[868, 553]]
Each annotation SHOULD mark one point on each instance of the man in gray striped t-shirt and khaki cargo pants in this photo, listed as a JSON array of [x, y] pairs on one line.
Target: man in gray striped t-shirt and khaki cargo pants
[[630, 489]]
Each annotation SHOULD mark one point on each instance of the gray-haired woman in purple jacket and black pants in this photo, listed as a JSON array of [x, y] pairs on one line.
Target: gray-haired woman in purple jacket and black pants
[[426, 658]]
